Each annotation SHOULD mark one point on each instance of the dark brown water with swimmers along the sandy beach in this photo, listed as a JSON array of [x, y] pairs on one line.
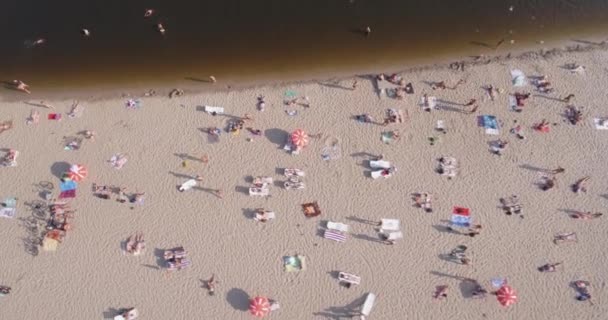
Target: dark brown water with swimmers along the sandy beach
[[239, 39]]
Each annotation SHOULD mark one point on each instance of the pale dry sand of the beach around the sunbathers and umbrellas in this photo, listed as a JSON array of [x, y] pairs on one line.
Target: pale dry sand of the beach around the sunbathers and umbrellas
[[90, 277]]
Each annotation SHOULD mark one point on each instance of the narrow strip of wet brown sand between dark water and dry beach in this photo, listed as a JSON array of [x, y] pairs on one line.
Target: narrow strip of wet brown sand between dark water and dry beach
[[202, 85]]
